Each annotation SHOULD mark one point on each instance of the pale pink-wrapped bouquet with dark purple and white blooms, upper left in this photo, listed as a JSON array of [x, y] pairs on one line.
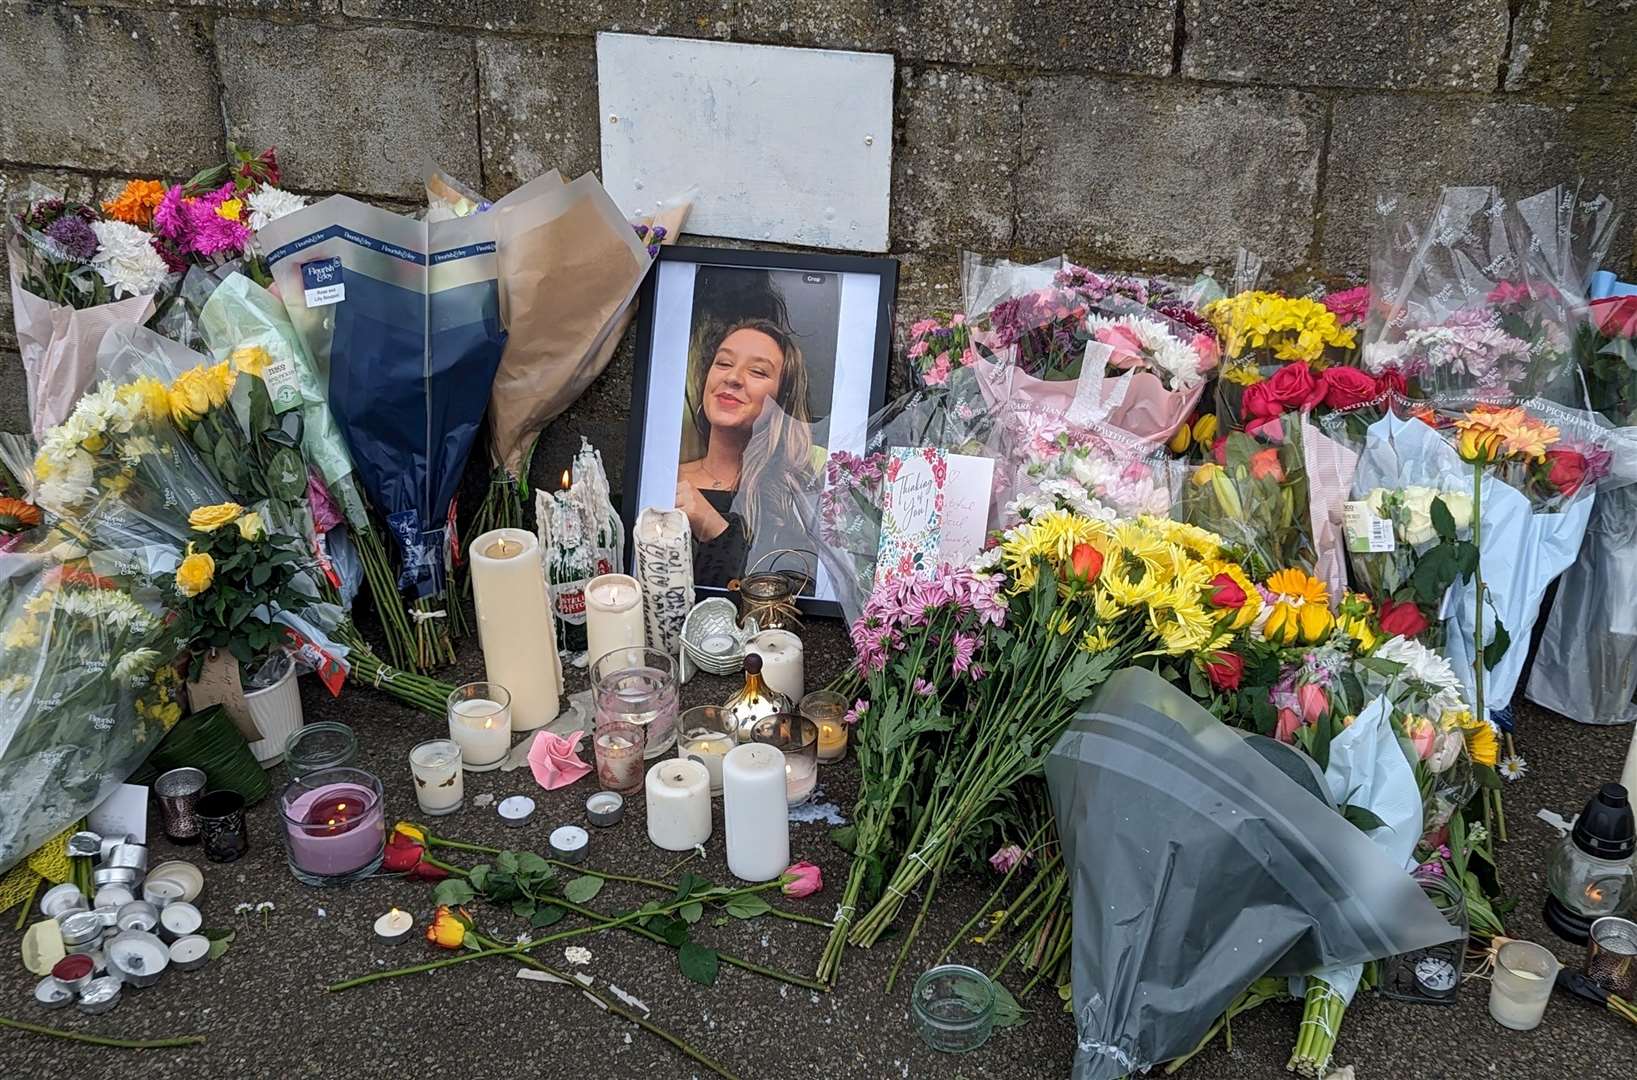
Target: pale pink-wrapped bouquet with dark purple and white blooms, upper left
[[76, 272]]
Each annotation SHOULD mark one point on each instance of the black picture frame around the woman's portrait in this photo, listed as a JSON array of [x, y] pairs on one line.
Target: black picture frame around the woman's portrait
[[886, 269]]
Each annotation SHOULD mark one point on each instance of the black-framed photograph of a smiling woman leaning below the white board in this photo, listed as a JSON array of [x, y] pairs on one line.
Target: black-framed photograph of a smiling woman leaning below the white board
[[751, 371]]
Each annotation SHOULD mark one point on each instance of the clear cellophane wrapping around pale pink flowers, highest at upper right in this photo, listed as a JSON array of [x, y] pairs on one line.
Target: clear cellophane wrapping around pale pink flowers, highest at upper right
[[1464, 304]]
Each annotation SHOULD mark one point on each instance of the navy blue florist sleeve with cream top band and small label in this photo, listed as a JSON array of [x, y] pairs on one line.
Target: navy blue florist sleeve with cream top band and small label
[[404, 323]]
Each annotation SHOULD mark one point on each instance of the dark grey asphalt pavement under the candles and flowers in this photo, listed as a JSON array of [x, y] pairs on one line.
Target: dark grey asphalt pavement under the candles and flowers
[[266, 1012]]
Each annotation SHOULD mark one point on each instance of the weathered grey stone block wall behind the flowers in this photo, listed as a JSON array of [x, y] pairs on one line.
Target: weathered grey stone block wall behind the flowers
[[1157, 135]]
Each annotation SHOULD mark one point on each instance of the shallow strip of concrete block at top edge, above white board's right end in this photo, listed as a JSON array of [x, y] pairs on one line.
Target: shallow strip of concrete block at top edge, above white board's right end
[[1050, 35]]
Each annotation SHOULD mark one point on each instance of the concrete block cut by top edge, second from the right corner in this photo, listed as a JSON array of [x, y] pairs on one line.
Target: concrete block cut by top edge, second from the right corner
[[1409, 45]]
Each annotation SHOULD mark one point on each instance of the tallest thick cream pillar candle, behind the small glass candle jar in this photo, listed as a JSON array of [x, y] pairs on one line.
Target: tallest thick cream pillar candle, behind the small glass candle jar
[[515, 624]]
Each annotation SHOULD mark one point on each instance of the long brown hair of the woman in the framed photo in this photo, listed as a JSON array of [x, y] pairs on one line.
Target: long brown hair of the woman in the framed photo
[[782, 441]]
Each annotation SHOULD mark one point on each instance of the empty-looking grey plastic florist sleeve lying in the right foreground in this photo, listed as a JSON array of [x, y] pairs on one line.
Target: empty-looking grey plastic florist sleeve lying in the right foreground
[[1202, 860]]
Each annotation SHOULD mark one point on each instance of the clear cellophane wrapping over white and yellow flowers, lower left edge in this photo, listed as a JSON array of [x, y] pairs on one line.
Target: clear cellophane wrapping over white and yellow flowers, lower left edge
[[88, 690]]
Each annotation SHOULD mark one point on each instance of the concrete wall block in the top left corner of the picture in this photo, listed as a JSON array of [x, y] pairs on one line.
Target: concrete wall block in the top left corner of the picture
[[107, 89]]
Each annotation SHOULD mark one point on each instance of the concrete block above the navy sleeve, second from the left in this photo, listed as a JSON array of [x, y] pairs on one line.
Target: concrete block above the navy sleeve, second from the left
[[353, 110]]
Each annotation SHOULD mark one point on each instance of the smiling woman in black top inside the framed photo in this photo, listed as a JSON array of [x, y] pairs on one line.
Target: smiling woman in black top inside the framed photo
[[751, 410]]
